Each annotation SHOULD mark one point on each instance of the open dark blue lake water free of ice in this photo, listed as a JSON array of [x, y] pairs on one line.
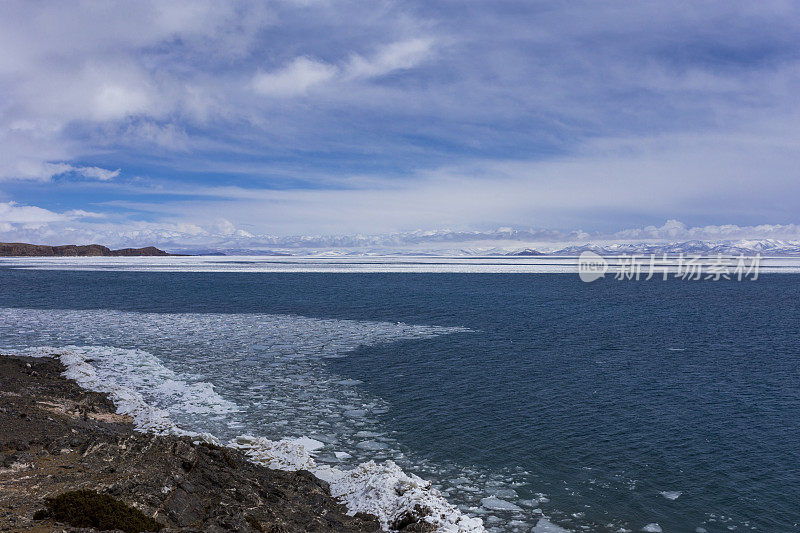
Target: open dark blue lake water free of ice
[[623, 403]]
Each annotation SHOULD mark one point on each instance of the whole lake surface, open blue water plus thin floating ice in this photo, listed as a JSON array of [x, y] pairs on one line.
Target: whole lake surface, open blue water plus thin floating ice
[[605, 406]]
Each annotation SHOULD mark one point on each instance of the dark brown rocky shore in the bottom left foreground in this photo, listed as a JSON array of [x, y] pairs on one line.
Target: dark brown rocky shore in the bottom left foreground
[[56, 437]]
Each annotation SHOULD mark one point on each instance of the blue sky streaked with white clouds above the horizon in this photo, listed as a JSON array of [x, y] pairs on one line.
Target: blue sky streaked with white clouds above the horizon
[[244, 124]]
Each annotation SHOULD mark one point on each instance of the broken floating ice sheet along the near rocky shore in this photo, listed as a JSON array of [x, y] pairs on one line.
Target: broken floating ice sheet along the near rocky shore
[[270, 381]]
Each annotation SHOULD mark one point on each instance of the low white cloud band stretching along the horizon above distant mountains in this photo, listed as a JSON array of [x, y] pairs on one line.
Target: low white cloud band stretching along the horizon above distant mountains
[[33, 224]]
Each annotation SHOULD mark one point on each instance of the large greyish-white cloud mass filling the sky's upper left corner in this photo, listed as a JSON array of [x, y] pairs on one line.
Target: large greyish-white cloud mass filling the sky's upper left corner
[[67, 64]]
